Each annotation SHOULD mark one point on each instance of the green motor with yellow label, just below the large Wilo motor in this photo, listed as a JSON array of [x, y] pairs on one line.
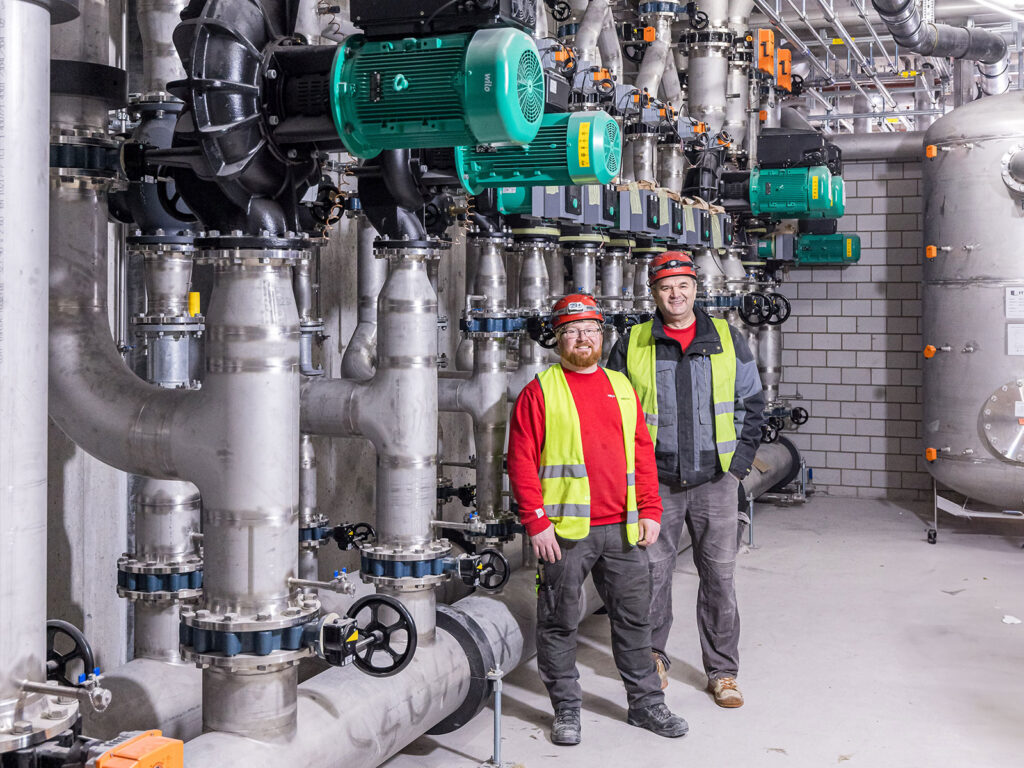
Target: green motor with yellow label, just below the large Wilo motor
[[578, 148]]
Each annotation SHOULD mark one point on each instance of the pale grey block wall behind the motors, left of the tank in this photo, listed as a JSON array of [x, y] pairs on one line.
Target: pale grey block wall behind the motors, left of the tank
[[852, 348]]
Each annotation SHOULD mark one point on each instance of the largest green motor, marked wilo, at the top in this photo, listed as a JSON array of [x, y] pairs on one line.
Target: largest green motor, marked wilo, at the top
[[464, 89]]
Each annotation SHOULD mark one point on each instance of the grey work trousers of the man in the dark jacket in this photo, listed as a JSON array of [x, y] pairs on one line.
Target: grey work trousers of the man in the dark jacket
[[711, 514]]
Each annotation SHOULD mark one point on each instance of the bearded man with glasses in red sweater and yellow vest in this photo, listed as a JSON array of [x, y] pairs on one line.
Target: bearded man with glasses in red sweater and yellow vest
[[582, 468]]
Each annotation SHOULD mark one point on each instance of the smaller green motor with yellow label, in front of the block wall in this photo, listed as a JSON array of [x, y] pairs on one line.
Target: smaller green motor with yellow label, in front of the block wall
[[793, 193]]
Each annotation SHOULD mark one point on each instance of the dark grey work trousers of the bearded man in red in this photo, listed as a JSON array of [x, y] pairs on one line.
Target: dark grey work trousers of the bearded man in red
[[623, 581]]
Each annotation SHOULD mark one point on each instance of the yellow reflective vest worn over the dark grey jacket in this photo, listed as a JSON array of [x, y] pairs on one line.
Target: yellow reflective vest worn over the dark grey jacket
[[642, 367]]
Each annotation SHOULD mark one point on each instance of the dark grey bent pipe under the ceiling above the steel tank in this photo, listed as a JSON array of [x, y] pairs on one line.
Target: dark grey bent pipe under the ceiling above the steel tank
[[912, 32]]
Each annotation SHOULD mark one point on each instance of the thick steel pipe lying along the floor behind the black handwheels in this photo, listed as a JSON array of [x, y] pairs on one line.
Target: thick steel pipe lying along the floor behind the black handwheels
[[352, 720]]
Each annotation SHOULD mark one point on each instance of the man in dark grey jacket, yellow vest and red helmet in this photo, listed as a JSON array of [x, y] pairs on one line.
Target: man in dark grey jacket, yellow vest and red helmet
[[700, 387]]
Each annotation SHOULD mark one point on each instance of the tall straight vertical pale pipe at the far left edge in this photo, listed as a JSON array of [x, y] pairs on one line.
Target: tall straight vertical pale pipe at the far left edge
[[25, 78]]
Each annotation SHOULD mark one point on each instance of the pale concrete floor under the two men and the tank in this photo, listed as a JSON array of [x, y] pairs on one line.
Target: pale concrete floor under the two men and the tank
[[862, 645]]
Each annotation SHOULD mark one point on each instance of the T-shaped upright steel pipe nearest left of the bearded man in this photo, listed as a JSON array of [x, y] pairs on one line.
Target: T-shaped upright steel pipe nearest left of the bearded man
[[398, 412]]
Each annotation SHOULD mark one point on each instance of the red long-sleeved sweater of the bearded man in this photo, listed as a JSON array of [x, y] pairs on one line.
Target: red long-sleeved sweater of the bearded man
[[605, 456]]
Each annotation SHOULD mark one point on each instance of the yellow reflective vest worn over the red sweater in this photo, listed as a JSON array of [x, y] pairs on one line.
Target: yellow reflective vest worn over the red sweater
[[564, 473]]
